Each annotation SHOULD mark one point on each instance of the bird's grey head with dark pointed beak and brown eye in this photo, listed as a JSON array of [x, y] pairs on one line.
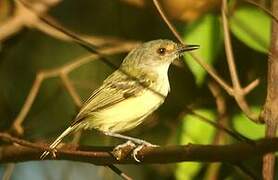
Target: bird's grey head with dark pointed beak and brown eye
[[154, 54]]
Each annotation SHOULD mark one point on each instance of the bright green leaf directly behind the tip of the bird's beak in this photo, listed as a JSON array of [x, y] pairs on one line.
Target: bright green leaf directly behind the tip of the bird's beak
[[207, 33]]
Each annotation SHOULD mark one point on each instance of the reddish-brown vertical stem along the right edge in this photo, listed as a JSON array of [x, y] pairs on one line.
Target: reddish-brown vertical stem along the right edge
[[270, 111]]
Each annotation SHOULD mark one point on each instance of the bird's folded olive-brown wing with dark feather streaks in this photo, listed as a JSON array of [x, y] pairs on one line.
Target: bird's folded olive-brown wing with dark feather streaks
[[116, 88]]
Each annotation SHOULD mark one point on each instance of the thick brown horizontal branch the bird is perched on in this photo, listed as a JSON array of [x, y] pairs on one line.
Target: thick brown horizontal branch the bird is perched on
[[27, 151]]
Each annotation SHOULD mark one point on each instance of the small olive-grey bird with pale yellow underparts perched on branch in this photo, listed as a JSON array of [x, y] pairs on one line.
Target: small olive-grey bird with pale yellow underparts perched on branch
[[129, 94]]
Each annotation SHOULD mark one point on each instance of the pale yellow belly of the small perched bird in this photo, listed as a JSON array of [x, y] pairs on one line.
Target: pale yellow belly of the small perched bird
[[126, 114]]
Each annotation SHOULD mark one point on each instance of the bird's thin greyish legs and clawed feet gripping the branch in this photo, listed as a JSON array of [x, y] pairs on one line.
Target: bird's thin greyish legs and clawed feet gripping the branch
[[140, 142]]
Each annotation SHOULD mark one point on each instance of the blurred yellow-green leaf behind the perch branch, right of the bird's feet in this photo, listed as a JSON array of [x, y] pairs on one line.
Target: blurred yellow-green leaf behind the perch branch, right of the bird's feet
[[193, 130]]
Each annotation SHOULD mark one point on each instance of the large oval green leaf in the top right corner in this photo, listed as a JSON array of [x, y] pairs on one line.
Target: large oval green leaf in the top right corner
[[252, 26]]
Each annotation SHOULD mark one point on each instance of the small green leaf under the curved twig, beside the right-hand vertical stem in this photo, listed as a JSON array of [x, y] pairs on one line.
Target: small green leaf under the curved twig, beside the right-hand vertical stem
[[247, 127]]
